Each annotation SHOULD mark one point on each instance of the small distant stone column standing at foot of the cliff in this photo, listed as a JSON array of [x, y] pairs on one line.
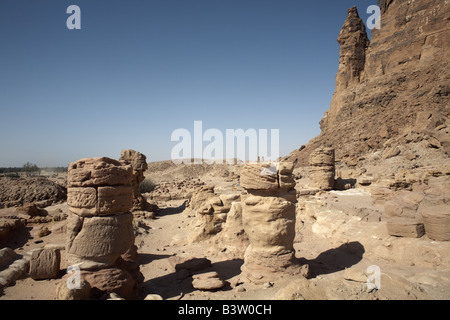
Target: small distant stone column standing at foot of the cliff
[[322, 168]]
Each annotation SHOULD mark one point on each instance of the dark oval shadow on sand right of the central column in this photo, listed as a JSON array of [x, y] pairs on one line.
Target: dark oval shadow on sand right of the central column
[[336, 259]]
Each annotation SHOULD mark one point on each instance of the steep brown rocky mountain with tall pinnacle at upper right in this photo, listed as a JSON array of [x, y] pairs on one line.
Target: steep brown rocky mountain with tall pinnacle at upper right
[[392, 92]]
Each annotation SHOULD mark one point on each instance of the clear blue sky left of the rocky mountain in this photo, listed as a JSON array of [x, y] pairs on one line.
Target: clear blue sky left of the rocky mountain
[[137, 70]]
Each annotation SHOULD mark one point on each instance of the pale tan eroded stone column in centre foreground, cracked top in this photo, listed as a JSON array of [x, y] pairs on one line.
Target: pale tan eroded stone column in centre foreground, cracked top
[[268, 217]]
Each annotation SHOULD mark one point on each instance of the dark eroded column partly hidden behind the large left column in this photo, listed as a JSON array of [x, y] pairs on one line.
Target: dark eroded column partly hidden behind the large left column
[[138, 162]]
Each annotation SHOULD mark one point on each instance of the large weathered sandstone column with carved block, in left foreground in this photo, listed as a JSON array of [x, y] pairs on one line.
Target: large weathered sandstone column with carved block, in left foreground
[[99, 226]]
